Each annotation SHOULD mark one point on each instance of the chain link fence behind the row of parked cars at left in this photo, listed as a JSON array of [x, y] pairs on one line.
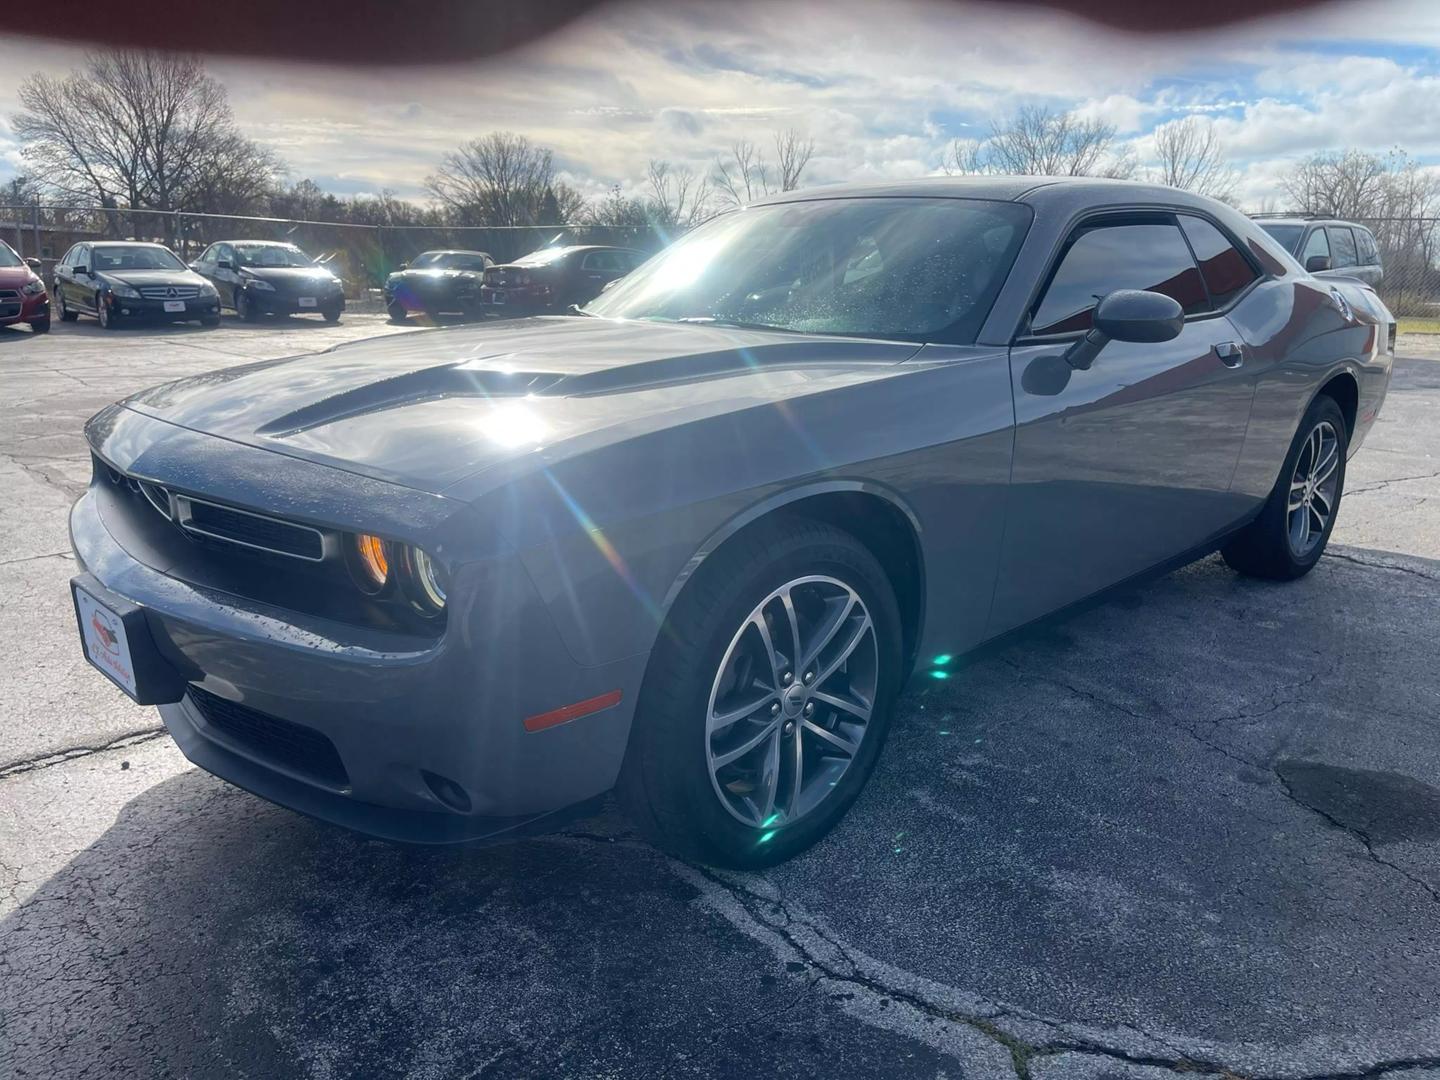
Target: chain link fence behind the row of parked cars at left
[[361, 256]]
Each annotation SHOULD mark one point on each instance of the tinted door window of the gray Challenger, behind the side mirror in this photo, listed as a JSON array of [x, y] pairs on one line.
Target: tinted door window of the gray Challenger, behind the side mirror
[[1118, 257]]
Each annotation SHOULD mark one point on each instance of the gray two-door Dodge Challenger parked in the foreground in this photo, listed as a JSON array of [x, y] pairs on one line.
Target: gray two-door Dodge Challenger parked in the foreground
[[690, 542]]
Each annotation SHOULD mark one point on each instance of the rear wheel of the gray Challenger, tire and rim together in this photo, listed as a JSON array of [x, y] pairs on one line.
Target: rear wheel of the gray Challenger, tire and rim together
[[1292, 531]]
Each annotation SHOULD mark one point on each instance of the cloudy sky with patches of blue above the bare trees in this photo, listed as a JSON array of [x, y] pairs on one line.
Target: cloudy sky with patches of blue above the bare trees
[[883, 89]]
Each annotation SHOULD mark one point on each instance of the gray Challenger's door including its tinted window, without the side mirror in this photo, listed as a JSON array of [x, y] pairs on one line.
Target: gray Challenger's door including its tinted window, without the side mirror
[[1124, 466]]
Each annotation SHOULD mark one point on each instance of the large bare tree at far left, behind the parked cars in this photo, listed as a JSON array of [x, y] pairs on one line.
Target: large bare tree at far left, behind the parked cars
[[139, 129]]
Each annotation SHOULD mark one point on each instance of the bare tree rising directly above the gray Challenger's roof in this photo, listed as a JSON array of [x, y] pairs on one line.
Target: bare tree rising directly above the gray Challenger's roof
[[1042, 143]]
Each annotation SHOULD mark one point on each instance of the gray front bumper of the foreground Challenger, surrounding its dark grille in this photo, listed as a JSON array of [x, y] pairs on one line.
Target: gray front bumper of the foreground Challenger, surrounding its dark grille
[[397, 709]]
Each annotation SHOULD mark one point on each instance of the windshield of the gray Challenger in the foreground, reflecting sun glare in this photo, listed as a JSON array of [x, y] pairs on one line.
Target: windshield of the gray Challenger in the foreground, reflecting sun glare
[[901, 269]]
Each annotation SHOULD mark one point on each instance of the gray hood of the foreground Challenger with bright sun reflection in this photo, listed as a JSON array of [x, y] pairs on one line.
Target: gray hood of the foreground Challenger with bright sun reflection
[[430, 410]]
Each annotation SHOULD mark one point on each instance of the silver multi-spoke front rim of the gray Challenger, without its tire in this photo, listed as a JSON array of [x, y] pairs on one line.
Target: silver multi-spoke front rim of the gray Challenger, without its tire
[[791, 702]]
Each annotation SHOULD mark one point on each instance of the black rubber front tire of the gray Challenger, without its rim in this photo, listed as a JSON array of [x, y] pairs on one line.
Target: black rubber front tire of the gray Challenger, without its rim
[[666, 784]]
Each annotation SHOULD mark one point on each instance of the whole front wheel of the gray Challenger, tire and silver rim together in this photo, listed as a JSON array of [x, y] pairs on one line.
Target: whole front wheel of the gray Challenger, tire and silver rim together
[[767, 699]]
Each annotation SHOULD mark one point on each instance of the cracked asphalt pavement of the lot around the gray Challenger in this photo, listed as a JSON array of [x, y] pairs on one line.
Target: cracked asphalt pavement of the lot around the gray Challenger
[[1194, 829]]
